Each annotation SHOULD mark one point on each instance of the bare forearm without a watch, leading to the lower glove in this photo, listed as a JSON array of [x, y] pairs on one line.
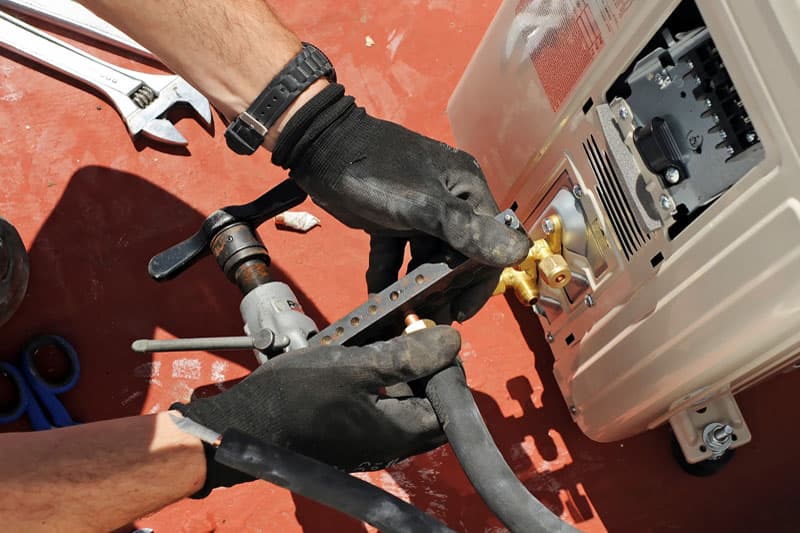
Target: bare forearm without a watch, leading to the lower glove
[[98, 476]]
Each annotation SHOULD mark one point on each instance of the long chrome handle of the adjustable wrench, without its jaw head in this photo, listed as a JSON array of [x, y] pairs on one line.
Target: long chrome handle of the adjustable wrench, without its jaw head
[[45, 49]]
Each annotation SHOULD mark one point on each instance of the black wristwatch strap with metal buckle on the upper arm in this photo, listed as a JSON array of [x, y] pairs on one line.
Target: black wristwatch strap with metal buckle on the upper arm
[[247, 132]]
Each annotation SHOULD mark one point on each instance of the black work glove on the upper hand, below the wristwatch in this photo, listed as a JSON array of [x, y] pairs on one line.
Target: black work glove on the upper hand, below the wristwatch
[[400, 187]]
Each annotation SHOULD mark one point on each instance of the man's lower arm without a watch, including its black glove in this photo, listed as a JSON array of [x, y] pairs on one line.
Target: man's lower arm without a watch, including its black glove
[[100, 476]]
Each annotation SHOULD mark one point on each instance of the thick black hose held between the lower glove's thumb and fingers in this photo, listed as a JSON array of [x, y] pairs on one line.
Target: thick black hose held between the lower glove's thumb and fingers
[[485, 467]]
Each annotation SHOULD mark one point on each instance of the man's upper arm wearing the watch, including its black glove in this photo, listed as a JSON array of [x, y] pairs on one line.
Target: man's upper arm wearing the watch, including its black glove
[[370, 174]]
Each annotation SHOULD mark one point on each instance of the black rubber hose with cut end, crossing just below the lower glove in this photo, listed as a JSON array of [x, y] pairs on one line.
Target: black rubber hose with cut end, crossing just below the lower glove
[[323, 483]]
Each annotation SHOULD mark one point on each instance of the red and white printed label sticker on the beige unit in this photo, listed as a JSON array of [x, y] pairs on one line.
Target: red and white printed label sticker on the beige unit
[[567, 38]]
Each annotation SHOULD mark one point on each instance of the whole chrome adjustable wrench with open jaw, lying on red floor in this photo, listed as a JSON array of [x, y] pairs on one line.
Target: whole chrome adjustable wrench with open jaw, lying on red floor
[[141, 99]]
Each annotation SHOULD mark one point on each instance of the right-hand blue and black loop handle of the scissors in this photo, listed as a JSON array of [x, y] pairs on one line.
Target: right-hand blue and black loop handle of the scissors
[[46, 390]]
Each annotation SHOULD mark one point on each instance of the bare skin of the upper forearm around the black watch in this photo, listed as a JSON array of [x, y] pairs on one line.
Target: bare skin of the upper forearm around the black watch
[[229, 50]]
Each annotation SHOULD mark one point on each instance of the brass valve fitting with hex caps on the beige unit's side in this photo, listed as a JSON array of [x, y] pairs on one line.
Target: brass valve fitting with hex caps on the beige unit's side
[[544, 258]]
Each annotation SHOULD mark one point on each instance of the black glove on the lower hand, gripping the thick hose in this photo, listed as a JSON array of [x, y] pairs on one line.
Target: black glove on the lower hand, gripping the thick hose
[[327, 403]]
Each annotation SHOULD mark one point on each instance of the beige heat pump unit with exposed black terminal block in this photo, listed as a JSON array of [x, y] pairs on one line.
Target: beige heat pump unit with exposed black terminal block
[[661, 138]]
